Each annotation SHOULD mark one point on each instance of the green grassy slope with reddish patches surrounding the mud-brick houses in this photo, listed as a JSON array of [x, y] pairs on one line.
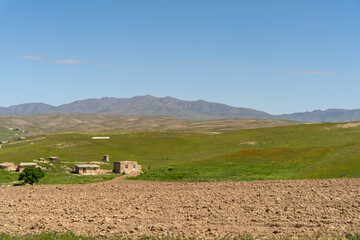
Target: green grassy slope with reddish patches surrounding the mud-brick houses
[[290, 152]]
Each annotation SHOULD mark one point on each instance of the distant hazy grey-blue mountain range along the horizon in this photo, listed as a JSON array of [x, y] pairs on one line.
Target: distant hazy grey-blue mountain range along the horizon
[[168, 106]]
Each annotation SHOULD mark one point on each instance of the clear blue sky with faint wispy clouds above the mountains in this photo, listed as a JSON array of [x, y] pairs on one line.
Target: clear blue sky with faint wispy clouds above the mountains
[[275, 56]]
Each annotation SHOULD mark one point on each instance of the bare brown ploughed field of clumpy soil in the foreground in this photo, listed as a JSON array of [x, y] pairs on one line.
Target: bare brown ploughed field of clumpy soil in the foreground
[[134, 208]]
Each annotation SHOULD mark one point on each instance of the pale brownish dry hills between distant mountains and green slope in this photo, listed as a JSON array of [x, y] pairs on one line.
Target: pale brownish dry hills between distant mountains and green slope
[[77, 122]]
